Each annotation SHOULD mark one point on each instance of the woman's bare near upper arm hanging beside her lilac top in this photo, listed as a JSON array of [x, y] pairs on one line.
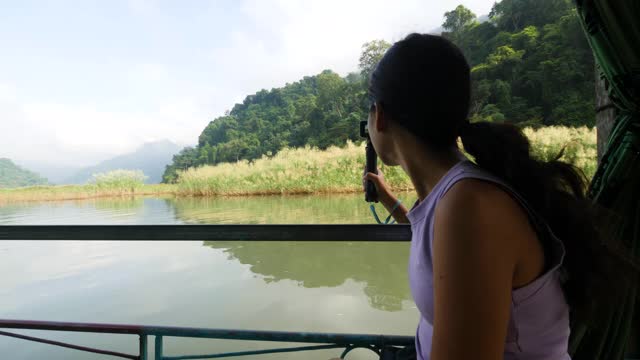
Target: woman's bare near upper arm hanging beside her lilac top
[[474, 258]]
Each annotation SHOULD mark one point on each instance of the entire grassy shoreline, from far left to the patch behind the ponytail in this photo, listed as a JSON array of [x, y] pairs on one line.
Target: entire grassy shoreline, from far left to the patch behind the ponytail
[[293, 171]]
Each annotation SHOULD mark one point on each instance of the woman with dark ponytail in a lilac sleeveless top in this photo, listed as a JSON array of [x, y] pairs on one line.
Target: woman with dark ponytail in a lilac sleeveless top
[[503, 249]]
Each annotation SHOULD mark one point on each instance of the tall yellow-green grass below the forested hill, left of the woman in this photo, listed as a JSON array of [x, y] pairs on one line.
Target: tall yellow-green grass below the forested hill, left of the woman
[[290, 171]]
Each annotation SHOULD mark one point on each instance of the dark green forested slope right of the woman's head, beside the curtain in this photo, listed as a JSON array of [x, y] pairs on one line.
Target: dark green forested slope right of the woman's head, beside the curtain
[[530, 63]]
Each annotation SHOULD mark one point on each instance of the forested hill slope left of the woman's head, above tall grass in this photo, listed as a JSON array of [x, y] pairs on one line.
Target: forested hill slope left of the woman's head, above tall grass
[[319, 111]]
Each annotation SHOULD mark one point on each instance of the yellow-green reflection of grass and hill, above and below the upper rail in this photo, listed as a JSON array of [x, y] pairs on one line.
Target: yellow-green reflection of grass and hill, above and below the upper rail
[[381, 266]]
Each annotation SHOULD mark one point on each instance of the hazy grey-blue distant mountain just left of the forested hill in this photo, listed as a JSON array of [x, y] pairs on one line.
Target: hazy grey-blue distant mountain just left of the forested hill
[[151, 158]]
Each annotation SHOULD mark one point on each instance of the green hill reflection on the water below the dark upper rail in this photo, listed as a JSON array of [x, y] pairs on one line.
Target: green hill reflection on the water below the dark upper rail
[[381, 266]]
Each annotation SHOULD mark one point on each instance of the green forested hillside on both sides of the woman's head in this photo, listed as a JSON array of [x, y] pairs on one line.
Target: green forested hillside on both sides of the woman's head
[[530, 65]]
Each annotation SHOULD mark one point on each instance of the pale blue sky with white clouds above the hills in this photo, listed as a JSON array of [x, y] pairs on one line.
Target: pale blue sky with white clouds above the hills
[[82, 81]]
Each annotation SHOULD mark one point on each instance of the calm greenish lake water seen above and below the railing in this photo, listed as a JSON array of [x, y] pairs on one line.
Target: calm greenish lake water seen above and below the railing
[[354, 287]]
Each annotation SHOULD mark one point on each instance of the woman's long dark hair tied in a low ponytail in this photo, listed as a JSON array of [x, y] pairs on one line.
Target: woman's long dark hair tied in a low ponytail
[[423, 82]]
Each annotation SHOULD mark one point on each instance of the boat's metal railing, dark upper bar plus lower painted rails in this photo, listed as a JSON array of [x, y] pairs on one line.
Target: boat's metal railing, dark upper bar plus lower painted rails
[[320, 341]]
